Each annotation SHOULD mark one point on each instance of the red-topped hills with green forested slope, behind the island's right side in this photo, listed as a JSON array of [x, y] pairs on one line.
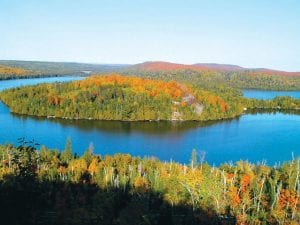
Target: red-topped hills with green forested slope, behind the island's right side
[[216, 76]]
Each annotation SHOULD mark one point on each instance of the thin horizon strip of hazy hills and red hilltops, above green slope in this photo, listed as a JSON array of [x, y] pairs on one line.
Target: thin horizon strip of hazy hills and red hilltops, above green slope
[[36, 68]]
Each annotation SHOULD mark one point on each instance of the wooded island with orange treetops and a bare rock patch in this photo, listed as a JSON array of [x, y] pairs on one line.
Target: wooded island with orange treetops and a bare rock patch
[[116, 97]]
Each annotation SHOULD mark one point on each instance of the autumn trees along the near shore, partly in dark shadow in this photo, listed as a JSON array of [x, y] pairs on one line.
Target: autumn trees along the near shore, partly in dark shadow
[[52, 187]]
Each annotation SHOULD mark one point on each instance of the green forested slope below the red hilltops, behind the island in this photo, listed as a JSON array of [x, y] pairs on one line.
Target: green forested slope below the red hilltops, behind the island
[[211, 79]]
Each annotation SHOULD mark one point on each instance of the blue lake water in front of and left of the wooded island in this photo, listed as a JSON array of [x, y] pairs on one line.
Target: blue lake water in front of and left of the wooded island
[[271, 137]]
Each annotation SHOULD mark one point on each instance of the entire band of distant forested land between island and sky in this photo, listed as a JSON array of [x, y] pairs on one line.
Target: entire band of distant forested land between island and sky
[[201, 74]]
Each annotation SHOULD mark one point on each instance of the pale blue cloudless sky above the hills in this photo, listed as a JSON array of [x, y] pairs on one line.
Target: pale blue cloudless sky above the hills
[[249, 33]]
